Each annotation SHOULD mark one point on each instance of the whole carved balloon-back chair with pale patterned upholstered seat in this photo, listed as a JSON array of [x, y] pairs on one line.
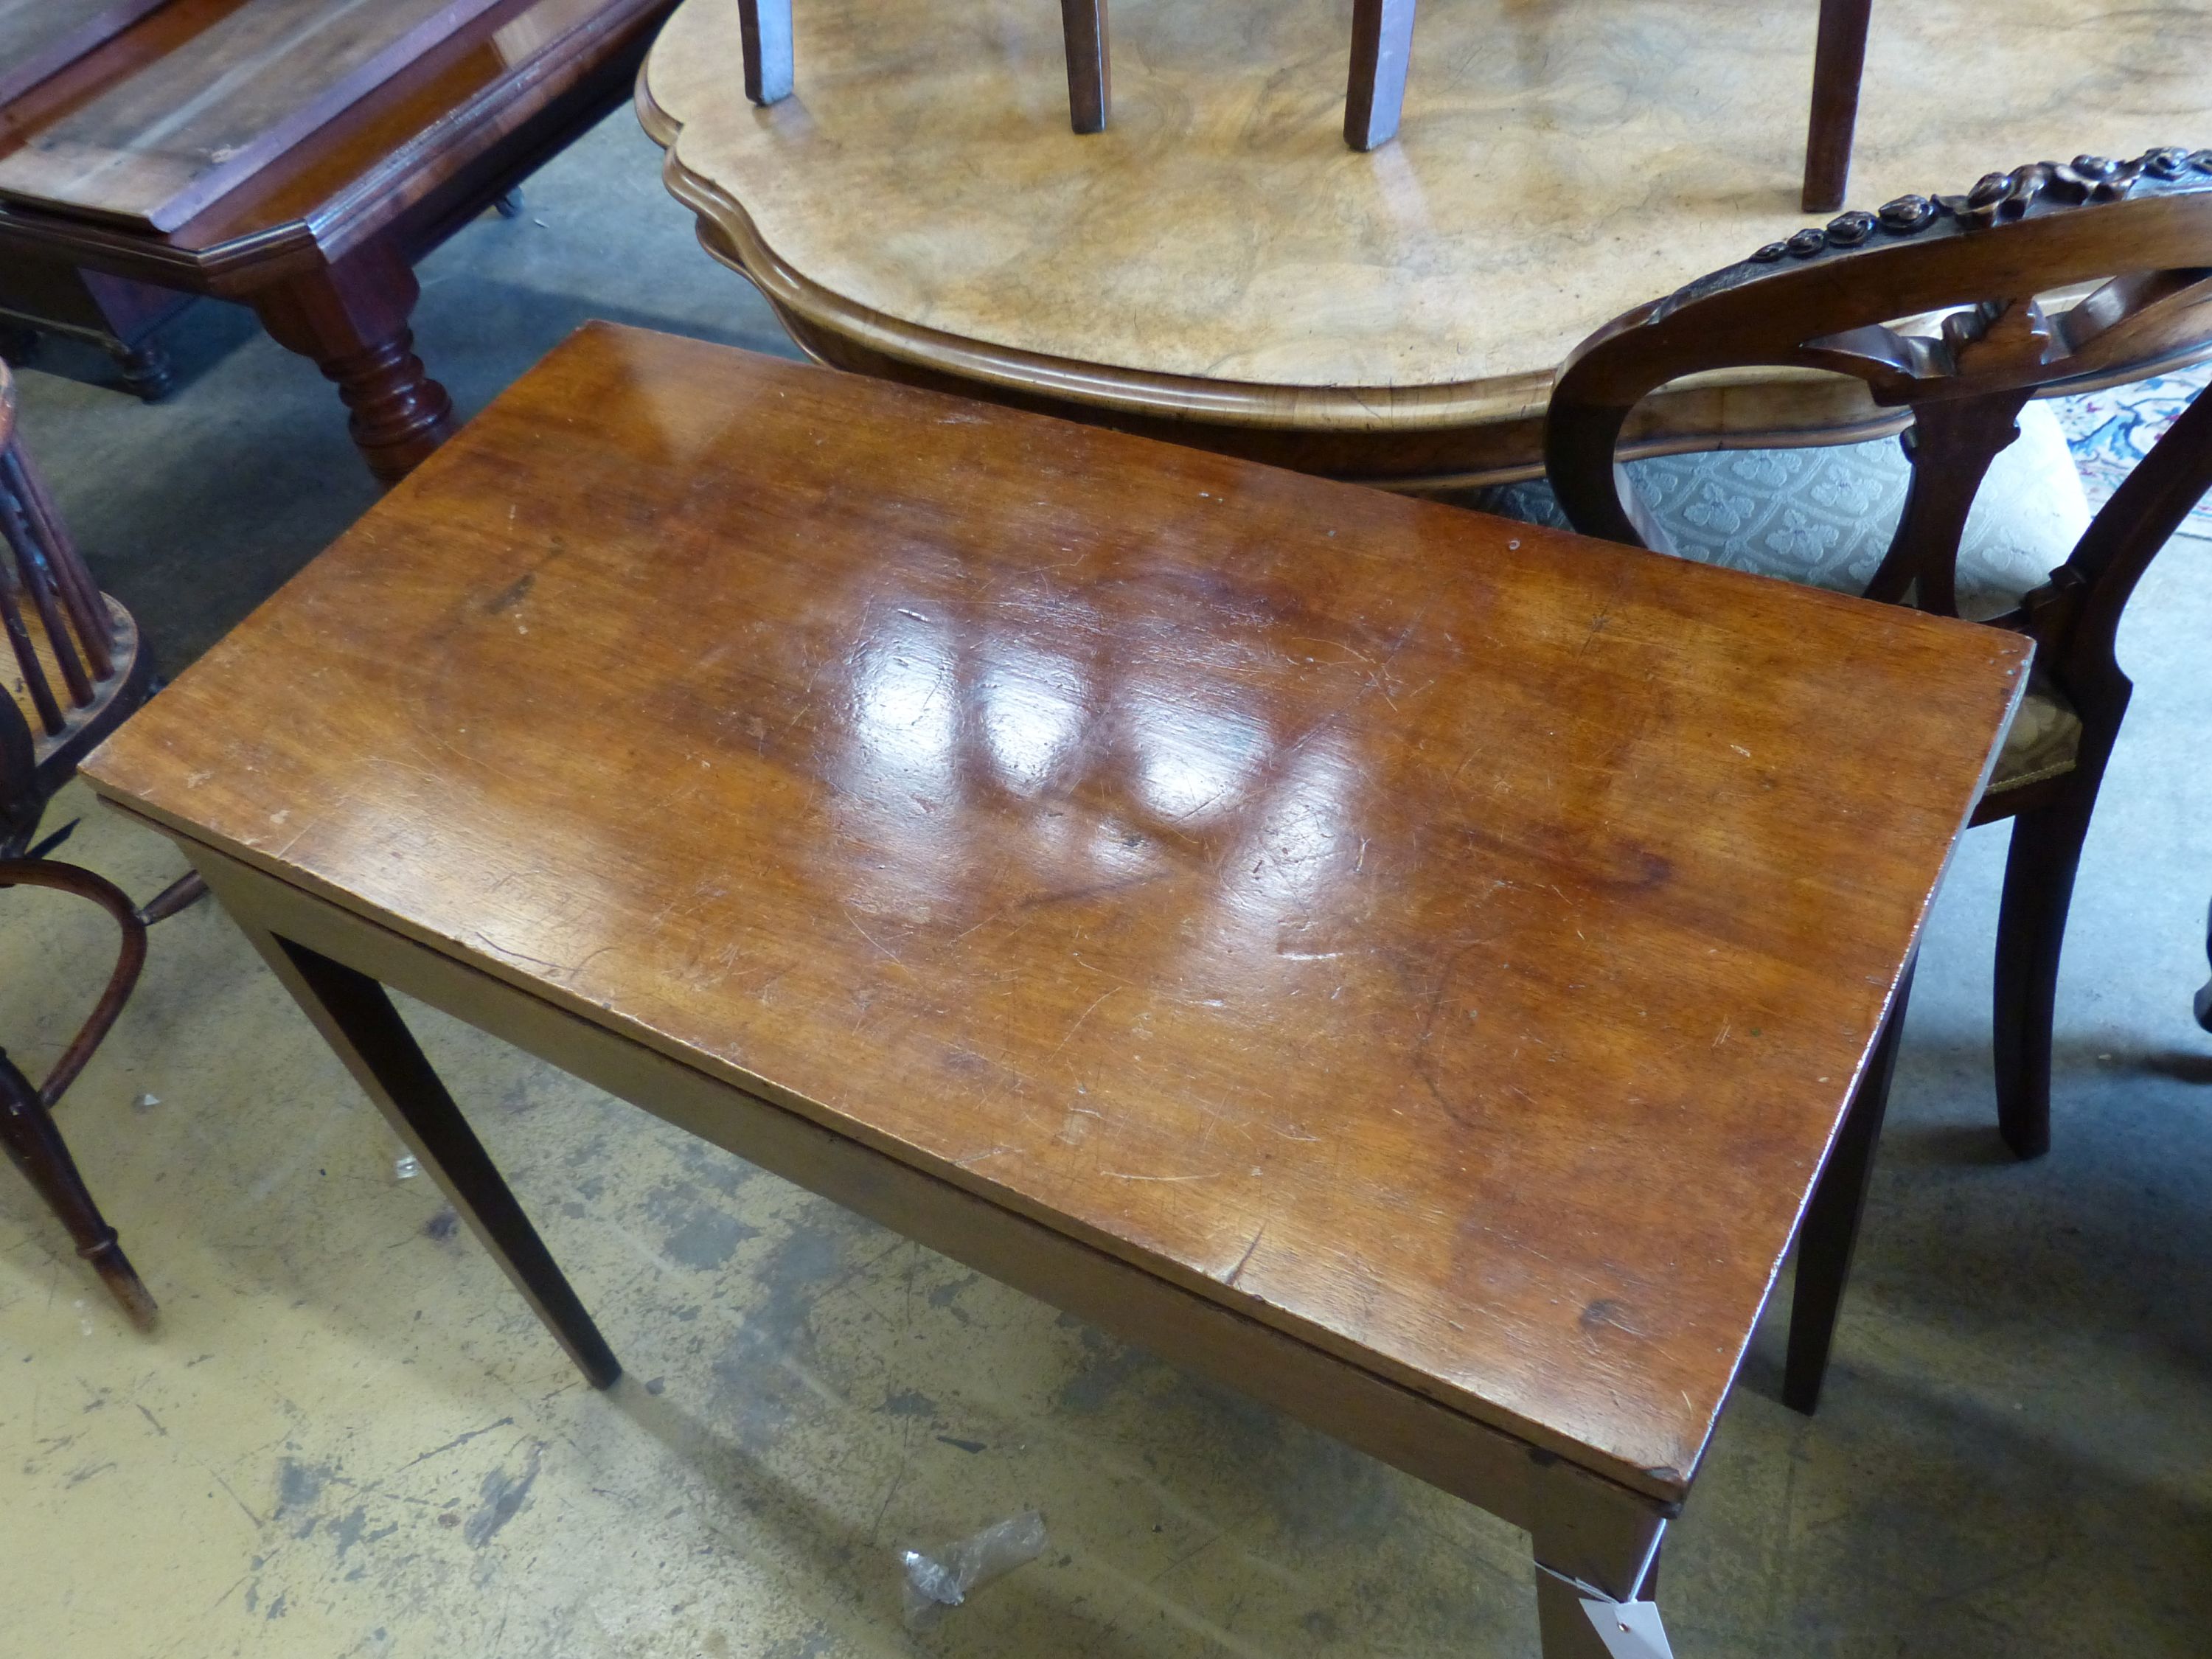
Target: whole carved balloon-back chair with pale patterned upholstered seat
[[2038, 282]]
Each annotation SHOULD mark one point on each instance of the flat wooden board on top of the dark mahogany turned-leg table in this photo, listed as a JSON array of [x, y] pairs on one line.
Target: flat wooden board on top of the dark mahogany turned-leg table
[[180, 129]]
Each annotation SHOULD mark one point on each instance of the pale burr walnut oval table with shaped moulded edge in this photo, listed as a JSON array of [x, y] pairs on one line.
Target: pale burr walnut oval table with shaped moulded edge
[[1222, 271]]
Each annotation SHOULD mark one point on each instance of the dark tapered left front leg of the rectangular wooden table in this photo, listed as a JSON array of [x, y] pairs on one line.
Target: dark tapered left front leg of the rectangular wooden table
[[359, 1023]]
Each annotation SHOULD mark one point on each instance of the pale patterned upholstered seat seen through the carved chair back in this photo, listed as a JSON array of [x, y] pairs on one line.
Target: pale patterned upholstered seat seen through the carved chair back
[[1824, 519]]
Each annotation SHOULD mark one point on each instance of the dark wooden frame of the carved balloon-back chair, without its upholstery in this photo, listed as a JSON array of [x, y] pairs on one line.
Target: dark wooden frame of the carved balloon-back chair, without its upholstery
[[2140, 233]]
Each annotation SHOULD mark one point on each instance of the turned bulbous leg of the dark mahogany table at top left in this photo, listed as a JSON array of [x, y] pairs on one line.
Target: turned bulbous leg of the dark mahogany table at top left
[[353, 322]]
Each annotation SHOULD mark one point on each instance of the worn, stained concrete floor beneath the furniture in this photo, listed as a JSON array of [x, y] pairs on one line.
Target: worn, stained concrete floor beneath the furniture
[[353, 1439]]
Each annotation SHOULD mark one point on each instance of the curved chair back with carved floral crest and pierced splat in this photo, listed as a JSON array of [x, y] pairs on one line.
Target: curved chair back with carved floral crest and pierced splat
[[1835, 298]]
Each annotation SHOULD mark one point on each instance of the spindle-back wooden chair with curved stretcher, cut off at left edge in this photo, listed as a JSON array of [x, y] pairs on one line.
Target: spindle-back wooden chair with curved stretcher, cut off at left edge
[[79, 669]]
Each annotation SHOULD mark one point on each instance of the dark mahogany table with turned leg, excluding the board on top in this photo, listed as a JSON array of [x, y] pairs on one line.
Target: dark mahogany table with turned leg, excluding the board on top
[[322, 240]]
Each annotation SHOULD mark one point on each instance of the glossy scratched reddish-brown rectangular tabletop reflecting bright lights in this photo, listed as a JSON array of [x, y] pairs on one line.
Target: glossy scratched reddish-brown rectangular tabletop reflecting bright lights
[[1448, 941]]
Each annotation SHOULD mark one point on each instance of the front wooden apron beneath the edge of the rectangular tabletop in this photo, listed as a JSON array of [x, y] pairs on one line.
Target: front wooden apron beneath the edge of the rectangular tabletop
[[1585, 1525]]
